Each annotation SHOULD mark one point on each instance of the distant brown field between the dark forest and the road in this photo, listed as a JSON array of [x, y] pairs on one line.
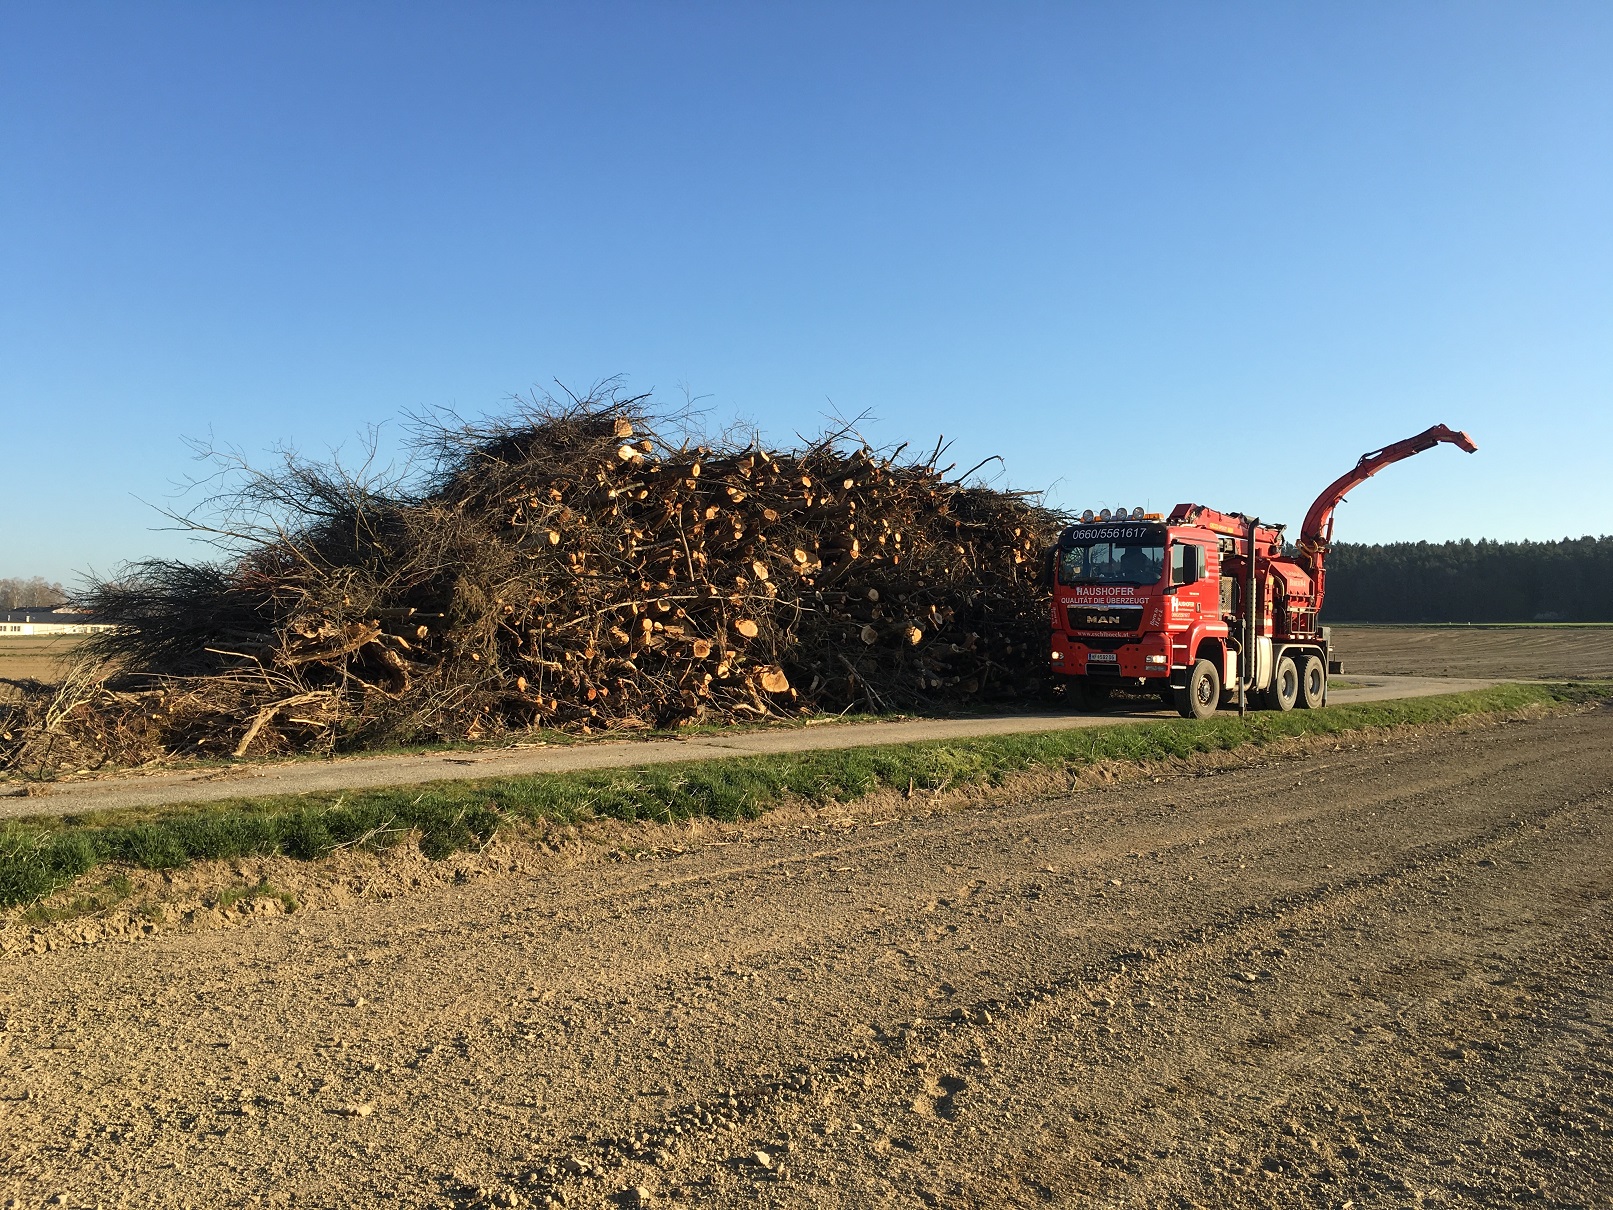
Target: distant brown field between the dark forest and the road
[[1515, 653]]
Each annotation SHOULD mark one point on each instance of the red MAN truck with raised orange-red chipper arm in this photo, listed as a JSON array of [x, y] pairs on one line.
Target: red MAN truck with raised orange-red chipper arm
[[1206, 609]]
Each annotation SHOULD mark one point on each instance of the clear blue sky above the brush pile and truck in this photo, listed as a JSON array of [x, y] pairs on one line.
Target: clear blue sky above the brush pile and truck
[[1146, 252]]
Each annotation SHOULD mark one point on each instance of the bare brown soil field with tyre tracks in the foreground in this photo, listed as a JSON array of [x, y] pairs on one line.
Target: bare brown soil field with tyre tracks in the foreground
[[1373, 977]]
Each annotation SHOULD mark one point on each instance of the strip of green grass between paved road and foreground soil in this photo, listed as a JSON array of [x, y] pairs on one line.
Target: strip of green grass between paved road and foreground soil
[[43, 854]]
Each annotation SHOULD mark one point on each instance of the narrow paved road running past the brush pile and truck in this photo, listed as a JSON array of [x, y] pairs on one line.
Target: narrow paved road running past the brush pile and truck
[[367, 772]]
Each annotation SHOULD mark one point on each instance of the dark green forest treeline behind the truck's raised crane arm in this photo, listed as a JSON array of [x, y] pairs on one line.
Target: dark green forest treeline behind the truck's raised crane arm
[[1472, 582]]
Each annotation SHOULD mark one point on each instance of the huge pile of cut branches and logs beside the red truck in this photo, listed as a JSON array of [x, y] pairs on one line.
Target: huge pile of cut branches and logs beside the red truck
[[567, 569]]
